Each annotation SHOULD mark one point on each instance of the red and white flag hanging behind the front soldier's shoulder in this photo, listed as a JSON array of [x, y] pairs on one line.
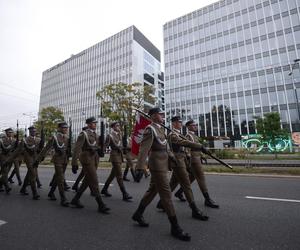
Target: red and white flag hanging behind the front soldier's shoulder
[[140, 124]]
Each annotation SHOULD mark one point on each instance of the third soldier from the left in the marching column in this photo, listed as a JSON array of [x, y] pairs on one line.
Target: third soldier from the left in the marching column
[[59, 142]]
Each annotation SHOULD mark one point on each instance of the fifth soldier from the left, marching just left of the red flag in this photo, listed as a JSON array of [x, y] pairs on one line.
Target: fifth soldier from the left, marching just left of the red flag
[[114, 140]]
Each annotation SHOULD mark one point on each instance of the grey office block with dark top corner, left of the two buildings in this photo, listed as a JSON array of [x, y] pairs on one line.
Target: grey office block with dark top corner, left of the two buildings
[[127, 56]]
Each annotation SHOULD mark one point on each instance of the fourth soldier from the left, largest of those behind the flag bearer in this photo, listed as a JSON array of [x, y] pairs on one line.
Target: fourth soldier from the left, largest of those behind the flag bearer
[[86, 150]]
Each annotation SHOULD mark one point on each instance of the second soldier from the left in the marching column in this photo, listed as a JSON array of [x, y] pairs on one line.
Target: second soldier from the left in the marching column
[[29, 147]]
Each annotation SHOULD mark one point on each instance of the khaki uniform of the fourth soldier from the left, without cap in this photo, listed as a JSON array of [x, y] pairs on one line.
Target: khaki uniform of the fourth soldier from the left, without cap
[[85, 150]]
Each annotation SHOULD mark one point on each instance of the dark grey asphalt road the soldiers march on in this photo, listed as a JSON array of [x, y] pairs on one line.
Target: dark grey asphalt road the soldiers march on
[[240, 223]]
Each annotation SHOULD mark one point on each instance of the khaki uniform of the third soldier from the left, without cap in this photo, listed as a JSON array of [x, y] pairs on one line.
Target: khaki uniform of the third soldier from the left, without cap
[[59, 142]]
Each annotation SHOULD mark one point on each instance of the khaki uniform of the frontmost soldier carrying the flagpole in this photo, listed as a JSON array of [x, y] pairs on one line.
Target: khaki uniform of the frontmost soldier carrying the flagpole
[[154, 142]]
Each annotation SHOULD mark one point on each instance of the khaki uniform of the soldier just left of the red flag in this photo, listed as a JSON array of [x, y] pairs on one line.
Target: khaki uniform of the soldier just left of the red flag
[[114, 141]]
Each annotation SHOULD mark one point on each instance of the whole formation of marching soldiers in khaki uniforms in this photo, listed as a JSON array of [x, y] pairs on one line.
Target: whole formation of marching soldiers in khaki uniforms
[[161, 149]]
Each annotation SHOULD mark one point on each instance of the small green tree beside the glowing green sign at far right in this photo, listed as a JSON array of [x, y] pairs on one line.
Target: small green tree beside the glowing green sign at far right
[[270, 129]]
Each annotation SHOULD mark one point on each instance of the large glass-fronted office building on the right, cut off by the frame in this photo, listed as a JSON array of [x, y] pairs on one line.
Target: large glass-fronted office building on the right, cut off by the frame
[[230, 62]]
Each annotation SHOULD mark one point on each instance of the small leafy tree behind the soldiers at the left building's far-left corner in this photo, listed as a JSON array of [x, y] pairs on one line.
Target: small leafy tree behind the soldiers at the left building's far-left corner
[[49, 117]]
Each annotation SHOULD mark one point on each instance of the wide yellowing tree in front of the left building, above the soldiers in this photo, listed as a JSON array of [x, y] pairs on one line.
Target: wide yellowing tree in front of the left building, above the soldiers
[[119, 100]]
